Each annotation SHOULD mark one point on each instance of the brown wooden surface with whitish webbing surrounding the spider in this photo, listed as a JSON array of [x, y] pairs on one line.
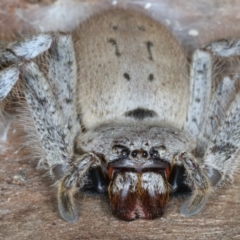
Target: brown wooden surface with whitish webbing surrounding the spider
[[28, 208]]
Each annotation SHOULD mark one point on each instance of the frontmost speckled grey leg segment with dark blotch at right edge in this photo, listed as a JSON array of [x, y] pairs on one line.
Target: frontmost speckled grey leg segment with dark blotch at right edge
[[223, 150]]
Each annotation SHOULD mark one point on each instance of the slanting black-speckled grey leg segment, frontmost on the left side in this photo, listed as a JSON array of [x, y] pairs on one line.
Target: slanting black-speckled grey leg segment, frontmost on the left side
[[47, 117]]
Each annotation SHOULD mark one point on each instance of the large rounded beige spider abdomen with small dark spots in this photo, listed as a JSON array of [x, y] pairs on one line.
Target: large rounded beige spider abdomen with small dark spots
[[122, 74]]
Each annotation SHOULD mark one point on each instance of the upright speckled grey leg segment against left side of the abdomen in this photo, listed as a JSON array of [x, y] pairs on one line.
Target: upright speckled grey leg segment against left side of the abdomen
[[62, 78]]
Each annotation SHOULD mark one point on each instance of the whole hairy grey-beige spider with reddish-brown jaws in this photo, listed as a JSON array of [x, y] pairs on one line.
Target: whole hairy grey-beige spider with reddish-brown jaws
[[114, 107]]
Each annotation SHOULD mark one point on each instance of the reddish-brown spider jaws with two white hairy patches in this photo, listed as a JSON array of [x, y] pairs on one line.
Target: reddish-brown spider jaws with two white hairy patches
[[136, 195]]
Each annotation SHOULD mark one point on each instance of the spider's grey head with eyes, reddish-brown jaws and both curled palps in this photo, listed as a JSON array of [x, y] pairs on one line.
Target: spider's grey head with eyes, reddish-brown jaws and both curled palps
[[139, 167]]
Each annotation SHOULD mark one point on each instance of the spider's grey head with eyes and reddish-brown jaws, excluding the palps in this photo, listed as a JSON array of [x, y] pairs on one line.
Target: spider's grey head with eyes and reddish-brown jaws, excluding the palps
[[138, 163]]
